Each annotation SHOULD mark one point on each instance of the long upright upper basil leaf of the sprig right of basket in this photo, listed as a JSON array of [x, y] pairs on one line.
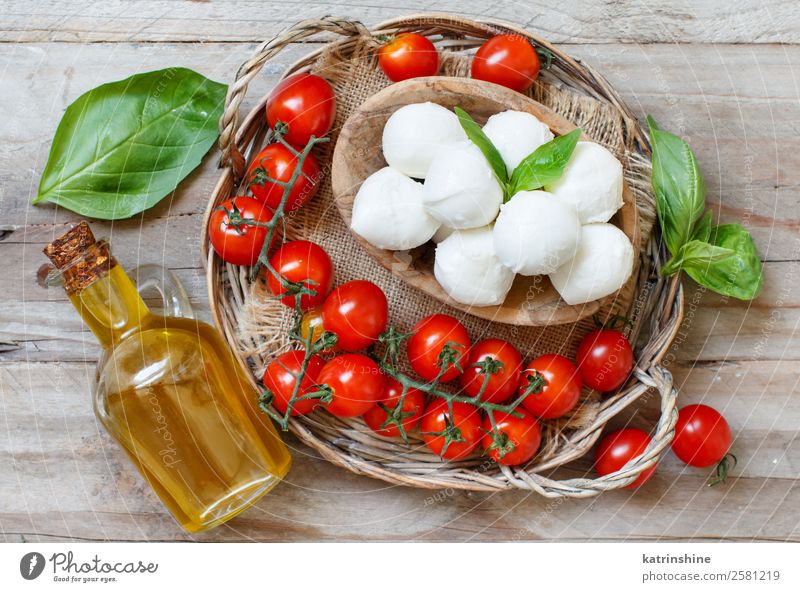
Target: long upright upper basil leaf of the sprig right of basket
[[678, 186]]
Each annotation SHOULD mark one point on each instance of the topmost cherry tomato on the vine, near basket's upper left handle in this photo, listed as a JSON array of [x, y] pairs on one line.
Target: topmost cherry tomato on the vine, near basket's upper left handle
[[306, 103]]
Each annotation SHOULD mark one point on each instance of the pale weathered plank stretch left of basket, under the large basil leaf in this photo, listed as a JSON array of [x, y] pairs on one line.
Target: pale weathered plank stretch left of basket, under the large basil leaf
[[44, 79]]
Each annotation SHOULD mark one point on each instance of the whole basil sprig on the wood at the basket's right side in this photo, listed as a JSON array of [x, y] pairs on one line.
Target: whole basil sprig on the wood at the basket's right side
[[722, 258]]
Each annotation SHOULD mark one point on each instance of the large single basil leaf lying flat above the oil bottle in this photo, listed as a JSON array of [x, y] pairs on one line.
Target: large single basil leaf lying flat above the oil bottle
[[123, 146]]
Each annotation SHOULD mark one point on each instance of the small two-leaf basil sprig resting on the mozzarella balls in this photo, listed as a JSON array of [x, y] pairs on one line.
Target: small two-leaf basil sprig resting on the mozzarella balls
[[544, 165]]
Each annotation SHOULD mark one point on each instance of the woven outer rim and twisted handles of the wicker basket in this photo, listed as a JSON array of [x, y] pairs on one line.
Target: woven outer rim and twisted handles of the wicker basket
[[664, 312]]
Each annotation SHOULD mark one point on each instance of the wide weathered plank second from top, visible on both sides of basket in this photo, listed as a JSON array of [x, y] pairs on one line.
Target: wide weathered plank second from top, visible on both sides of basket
[[742, 125]]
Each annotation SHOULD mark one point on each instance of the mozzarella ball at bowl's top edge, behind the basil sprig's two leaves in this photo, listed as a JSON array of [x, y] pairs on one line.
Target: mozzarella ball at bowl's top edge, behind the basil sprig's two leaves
[[516, 134]]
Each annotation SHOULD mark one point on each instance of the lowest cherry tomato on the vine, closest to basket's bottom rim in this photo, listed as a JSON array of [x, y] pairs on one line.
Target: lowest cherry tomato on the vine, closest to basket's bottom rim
[[516, 439]]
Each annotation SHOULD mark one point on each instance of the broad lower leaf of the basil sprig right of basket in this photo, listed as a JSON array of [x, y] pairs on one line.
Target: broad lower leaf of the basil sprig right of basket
[[738, 274]]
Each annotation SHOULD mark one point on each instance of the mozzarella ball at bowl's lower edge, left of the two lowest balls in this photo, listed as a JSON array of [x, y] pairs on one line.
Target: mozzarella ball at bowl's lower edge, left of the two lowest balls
[[466, 267]]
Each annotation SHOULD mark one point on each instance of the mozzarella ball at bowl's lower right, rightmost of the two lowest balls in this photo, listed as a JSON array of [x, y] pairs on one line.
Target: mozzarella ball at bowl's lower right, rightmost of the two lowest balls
[[602, 265]]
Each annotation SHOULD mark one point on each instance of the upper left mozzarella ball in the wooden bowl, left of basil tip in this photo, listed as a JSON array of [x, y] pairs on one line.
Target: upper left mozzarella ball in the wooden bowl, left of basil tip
[[416, 133]]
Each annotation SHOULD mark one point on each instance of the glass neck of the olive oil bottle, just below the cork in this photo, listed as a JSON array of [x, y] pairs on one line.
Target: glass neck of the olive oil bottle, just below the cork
[[111, 306]]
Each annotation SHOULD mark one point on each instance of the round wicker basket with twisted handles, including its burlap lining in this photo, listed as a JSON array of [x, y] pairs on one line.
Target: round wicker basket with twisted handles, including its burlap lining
[[255, 325]]
